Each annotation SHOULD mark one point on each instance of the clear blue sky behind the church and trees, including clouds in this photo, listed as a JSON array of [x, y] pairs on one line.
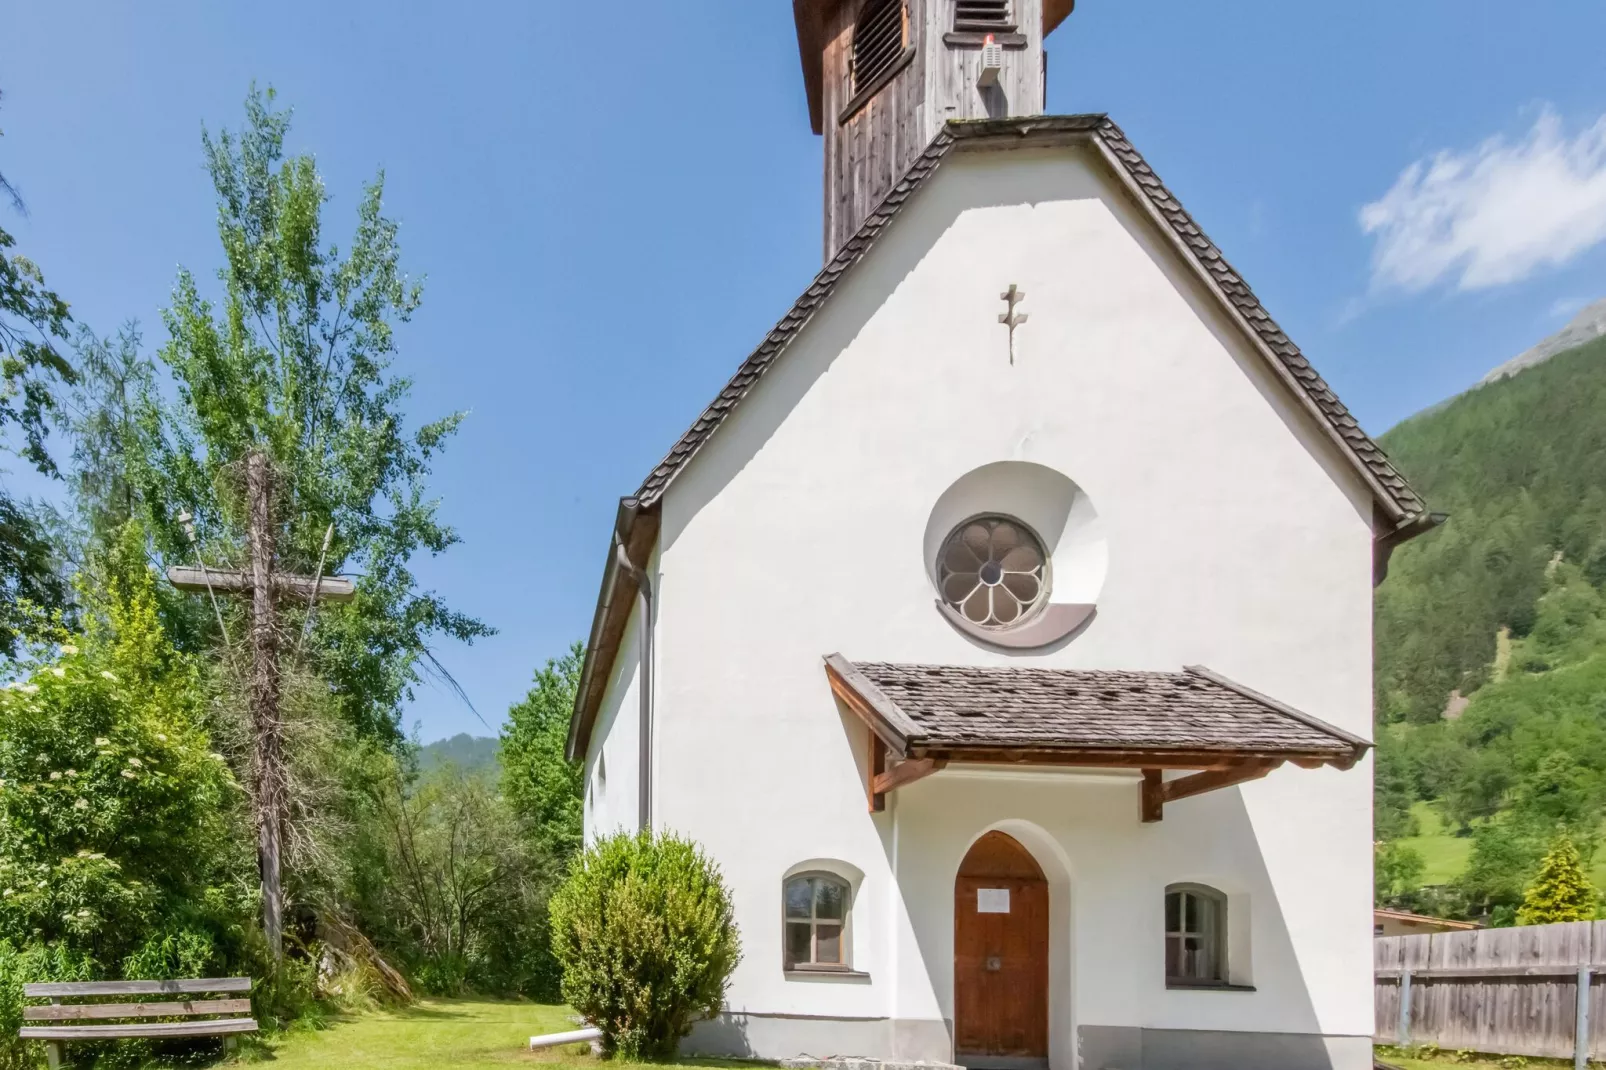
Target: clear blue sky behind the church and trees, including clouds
[[611, 214]]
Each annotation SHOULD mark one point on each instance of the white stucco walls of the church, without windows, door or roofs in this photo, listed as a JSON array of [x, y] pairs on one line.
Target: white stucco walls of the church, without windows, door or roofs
[[1236, 539]]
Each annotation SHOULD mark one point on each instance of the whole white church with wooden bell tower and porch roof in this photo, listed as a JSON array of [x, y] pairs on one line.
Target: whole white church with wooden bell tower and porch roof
[[1005, 627]]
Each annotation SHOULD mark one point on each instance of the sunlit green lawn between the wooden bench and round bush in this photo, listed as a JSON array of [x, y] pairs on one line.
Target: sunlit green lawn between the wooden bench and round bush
[[436, 1034]]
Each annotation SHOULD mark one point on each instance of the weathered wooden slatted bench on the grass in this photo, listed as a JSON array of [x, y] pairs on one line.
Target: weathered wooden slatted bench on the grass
[[202, 1016]]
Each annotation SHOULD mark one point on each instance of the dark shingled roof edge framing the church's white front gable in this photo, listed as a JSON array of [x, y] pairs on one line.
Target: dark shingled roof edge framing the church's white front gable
[[1392, 491]]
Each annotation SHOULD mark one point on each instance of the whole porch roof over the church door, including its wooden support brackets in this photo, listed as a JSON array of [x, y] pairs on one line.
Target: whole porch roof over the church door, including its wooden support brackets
[[923, 717]]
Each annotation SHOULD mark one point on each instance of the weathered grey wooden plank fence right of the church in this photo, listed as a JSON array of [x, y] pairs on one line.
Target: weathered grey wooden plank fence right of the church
[[1512, 992]]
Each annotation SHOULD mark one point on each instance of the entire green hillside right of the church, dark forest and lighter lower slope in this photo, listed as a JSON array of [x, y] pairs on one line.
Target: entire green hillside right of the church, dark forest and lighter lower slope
[[1507, 606]]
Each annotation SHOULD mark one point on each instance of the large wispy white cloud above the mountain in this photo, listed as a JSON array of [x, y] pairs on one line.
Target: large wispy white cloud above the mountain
[[1494, 214]]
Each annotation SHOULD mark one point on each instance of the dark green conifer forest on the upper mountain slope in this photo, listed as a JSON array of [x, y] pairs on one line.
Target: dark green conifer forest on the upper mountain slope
[[1520, 465]]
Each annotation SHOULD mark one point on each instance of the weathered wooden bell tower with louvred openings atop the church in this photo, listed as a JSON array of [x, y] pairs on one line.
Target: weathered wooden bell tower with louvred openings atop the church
[[884, 76]]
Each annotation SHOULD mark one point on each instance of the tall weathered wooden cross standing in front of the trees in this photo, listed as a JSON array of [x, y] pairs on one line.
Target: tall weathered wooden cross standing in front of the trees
[[267, 756]]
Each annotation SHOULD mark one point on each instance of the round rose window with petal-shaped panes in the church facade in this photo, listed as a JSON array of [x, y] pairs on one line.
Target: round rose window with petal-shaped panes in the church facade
[[993, 571]]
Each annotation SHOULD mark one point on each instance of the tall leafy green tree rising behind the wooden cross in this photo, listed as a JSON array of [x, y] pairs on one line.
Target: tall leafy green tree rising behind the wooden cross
[[295, 361]]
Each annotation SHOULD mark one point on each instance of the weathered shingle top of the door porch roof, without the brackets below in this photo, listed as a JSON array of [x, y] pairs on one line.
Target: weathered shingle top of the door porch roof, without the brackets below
[[942, 708]]
